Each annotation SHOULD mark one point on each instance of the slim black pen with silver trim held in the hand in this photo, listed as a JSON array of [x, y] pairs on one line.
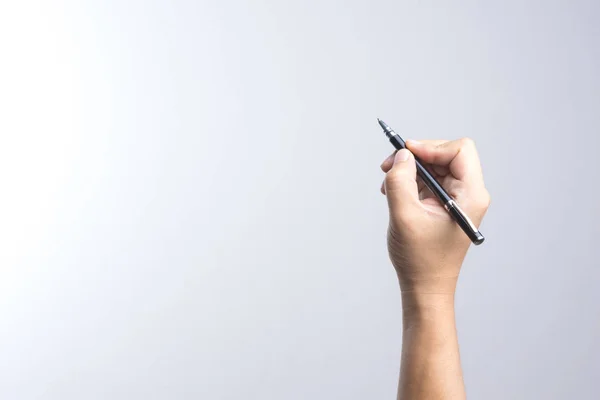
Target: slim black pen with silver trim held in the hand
[[449, 204]]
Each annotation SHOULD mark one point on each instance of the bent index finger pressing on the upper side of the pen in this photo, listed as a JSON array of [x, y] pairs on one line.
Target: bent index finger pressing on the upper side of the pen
[[459, 156]]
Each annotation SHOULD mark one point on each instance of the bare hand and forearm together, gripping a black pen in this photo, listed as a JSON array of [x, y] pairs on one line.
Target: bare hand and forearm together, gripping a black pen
[[427, 249]]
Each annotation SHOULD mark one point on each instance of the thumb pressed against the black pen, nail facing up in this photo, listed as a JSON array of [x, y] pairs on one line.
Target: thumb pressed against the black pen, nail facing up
[[401, 185]]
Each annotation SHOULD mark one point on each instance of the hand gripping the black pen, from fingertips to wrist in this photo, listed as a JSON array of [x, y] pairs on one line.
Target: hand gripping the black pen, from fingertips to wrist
[[426, 246]]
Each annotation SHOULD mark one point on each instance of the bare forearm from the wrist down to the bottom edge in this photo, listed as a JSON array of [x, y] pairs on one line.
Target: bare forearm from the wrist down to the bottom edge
[[430, 365]]
